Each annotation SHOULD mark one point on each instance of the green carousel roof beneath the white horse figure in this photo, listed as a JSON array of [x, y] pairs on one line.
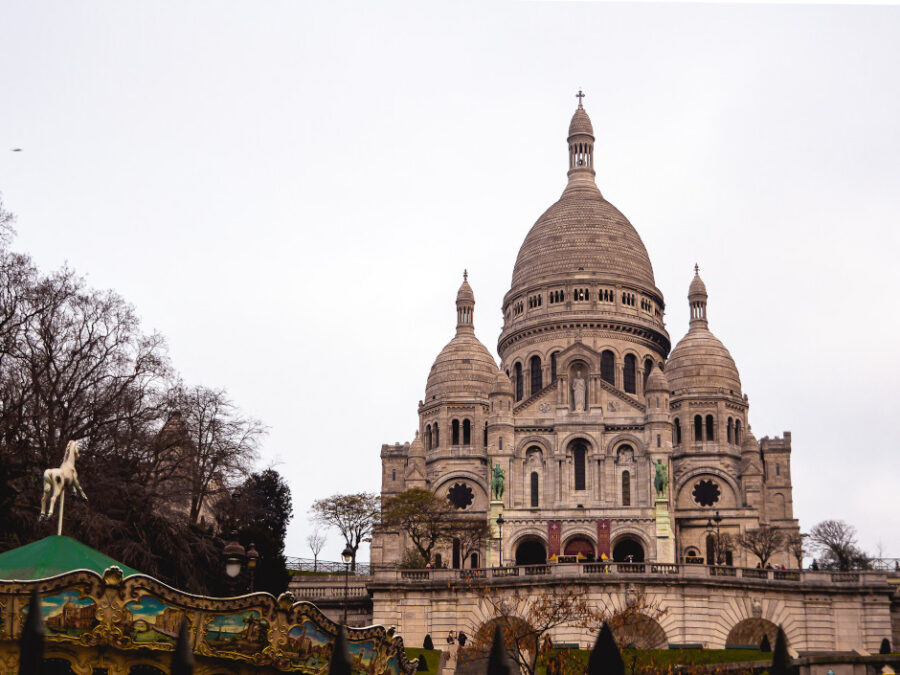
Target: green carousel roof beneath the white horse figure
[[51, 556]]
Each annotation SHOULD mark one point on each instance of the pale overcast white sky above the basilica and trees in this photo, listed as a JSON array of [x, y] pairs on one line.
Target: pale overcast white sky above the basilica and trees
[[290, 192]]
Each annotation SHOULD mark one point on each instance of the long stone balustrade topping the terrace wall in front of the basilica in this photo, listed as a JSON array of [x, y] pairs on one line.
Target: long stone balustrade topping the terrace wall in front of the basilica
[[600, 571]]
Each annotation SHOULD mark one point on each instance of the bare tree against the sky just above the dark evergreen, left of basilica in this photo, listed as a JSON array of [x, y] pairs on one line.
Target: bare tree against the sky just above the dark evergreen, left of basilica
[[215, 445]]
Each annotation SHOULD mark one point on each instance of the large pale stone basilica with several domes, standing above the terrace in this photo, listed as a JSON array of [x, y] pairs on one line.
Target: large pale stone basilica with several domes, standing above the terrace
[[594, 439]]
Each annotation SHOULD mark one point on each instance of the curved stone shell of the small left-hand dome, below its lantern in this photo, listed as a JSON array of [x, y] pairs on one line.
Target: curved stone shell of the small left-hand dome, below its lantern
[[464, 368]]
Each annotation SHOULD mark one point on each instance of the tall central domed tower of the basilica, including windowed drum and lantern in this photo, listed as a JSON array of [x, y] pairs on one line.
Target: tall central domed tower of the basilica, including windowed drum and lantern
[[582, 275]]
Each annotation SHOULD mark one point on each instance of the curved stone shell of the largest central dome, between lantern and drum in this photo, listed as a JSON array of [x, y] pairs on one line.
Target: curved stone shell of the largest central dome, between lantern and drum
[[582, 234]]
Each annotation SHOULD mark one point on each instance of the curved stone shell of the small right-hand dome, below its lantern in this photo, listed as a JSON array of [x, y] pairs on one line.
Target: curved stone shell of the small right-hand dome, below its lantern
[[700, 362]]
